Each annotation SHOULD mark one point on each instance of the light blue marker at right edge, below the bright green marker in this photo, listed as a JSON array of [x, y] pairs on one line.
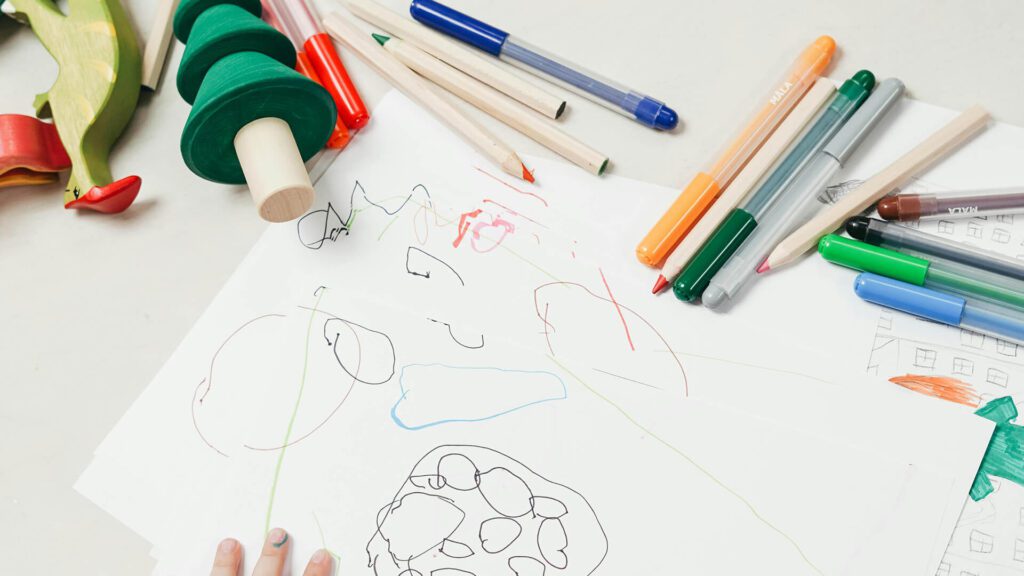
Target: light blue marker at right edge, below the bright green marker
[[1002, 322]]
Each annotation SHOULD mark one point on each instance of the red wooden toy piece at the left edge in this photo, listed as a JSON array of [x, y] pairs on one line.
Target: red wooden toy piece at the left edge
[[30, 152]]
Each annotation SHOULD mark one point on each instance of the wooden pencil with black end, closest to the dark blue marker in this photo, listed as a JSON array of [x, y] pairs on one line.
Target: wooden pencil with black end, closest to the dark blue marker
[[459, 57]]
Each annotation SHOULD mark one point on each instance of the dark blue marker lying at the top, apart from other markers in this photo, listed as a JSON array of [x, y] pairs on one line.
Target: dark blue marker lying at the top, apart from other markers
[[498, 43]]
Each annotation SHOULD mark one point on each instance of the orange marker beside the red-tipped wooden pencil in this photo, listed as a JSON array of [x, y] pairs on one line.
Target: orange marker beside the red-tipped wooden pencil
[[707, 187]]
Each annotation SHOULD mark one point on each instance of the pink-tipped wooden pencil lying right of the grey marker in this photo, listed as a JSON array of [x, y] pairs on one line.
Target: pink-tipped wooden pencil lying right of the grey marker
[[897, 175]]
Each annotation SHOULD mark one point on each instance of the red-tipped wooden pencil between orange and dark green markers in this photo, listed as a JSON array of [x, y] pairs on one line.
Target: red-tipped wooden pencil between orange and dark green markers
[[802, 114]]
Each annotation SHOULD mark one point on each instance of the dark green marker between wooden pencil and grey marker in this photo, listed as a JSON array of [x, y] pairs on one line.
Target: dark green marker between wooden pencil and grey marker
[[734, 231]]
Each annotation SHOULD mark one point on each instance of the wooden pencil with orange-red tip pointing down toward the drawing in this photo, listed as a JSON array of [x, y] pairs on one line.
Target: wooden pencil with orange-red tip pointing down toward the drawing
[[420, 91]]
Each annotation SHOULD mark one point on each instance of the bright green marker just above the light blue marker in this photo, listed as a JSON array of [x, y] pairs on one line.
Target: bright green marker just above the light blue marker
[[940, 275]]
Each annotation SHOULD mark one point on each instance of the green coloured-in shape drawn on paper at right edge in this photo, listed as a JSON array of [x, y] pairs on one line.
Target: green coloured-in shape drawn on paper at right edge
[[1005, 456]]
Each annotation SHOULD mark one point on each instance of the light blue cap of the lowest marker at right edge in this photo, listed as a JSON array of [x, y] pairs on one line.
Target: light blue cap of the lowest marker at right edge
[[922, 303]]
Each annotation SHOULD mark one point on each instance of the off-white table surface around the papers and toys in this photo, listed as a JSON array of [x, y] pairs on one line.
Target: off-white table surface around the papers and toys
[[92, 306]]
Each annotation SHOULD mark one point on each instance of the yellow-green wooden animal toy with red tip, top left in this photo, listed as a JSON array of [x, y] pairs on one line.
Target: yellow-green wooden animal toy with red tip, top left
[[95, 95]]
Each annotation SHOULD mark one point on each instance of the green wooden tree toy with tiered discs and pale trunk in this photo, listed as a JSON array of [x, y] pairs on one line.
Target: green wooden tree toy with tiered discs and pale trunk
[[254, 119]]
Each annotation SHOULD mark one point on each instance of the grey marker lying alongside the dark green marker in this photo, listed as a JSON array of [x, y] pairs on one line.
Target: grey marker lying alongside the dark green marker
[[797, 203]]
